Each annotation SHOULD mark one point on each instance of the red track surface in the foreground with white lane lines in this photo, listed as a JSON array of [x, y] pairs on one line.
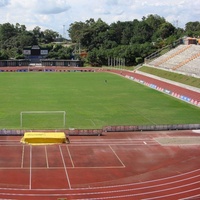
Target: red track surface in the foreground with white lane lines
[[113, 166]]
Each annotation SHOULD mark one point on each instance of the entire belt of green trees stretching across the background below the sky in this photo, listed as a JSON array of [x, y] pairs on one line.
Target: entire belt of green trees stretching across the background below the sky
[[133, 40]]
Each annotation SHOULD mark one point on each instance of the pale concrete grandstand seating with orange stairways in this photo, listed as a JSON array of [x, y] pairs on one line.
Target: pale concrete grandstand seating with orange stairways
[[183, 59]]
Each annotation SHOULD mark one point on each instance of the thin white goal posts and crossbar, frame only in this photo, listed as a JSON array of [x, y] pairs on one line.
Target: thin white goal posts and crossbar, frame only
[[63, 113]]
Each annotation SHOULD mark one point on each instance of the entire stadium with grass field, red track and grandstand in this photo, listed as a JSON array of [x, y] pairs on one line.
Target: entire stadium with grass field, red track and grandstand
[[70, 132]]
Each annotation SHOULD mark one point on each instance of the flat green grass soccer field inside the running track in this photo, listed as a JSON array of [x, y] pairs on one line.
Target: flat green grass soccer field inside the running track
[[88, 101]]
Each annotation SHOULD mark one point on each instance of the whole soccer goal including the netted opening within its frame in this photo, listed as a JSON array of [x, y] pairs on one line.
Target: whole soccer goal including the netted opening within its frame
[[43, 119]]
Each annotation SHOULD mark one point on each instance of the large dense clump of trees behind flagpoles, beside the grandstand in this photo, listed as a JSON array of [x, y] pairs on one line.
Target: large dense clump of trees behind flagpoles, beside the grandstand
[[133, 40]]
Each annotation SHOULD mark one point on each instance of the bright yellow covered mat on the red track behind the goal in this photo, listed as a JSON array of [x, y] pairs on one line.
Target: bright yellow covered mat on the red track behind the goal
[[43, 138]]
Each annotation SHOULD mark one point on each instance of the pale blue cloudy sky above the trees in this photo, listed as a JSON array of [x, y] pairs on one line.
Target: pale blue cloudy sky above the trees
[[57, 15]]
